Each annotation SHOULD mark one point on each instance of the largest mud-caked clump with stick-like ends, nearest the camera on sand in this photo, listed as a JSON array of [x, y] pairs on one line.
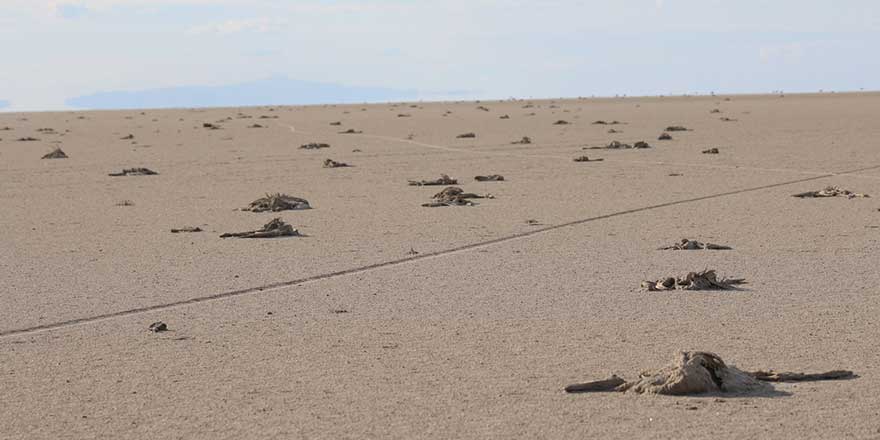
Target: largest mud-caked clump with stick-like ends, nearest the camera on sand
[[697, 372]]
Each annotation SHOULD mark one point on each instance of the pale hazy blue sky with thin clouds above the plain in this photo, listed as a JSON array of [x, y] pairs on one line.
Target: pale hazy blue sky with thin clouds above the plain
[[57, 50]]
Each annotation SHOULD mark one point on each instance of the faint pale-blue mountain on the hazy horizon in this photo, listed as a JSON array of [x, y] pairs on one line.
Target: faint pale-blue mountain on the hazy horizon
[[273, 91]]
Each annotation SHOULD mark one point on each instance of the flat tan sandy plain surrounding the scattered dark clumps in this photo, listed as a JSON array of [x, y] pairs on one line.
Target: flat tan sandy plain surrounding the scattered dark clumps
[[343, 333]]
